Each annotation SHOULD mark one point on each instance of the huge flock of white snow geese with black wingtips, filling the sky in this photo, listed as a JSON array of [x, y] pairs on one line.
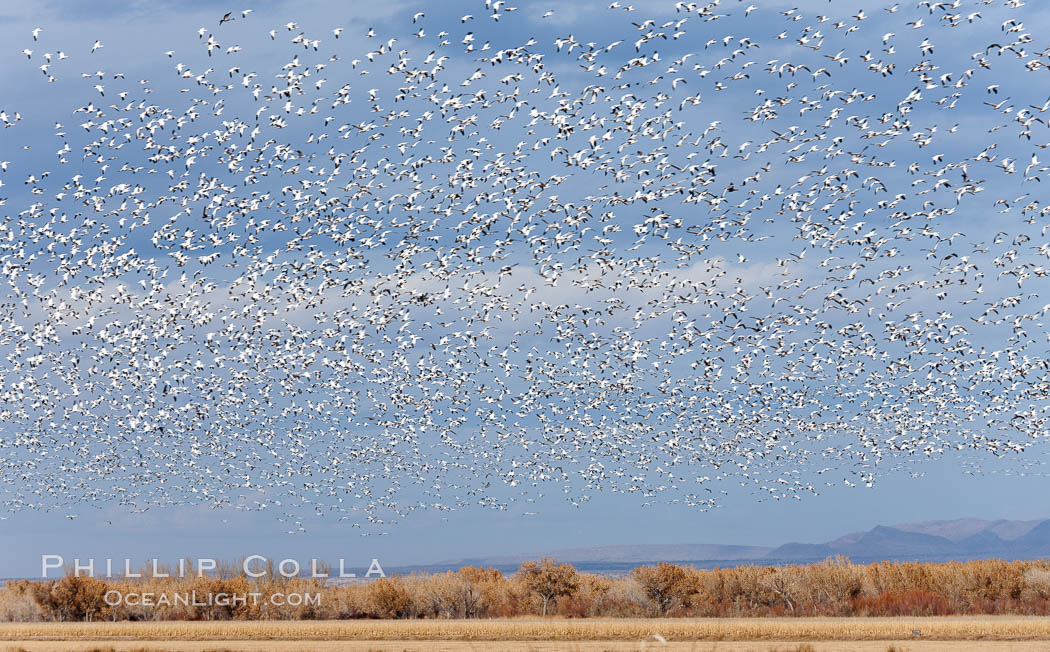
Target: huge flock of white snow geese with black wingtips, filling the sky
[[477, 255]]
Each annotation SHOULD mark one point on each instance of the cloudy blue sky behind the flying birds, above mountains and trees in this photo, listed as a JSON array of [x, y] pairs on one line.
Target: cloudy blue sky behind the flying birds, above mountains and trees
[[845, 412]]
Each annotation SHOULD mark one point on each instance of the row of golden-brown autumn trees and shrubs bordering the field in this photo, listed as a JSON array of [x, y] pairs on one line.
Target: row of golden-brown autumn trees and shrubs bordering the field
[[833, 588]]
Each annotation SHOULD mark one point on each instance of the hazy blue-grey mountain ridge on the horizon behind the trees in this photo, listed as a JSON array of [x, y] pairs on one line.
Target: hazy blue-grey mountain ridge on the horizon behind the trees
[[929, 541]]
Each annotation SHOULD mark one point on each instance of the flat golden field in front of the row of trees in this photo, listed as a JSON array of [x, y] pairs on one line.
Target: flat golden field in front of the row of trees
[[561, 630]]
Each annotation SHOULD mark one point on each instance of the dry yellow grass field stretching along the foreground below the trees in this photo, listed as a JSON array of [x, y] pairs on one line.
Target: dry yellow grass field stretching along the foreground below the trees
[[562, 635]]
